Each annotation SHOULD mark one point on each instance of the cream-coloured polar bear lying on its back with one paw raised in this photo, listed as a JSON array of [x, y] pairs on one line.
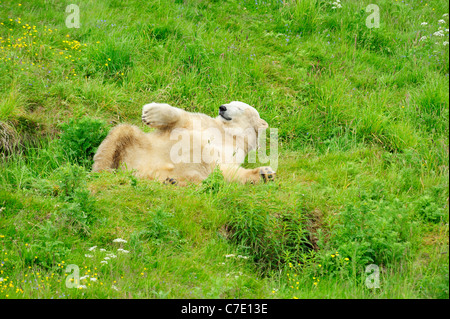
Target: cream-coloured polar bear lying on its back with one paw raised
[[186, 147]]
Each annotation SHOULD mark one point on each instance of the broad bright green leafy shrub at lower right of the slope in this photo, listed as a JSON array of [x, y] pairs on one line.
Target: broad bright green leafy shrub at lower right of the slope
[[374, 230]]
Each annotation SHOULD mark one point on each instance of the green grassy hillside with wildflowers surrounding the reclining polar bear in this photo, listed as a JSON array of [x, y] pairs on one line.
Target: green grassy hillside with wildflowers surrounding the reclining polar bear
[[363, 122]]
